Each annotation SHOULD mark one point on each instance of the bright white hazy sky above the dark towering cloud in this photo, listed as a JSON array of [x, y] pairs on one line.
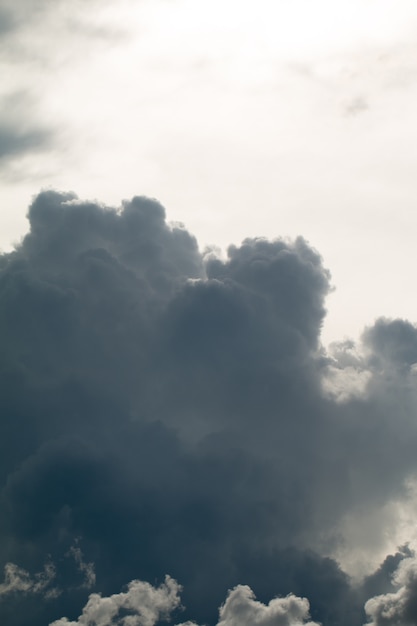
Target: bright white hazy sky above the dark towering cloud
[[243, 117]]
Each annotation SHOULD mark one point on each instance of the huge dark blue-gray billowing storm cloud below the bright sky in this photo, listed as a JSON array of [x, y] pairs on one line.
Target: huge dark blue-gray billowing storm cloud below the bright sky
[[164, 413]]
